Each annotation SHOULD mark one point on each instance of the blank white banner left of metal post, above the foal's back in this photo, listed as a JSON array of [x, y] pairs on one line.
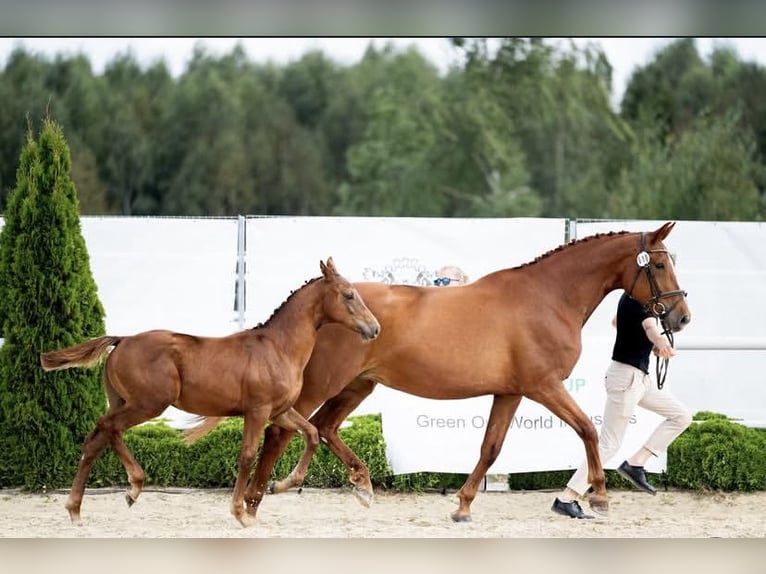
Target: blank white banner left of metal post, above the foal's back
[[164, 273]]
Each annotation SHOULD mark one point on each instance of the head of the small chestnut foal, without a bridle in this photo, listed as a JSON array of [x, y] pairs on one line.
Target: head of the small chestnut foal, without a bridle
[[343, 304]]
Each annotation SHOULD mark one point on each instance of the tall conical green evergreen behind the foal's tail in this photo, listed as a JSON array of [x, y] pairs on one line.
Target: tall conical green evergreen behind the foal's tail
[[48, 300]]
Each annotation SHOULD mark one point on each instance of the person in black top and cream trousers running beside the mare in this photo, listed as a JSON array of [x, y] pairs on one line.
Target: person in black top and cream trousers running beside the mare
[[628, 384]]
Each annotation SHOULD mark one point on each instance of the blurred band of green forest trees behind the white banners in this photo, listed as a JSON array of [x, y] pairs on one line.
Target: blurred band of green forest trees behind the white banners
[[517, 126]]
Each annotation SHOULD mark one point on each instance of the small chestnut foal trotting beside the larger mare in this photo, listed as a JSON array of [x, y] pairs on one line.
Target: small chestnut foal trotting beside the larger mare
[[255, 373]]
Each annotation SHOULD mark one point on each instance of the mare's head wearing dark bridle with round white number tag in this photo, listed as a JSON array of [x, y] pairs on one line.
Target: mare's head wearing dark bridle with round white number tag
[[652, 280]]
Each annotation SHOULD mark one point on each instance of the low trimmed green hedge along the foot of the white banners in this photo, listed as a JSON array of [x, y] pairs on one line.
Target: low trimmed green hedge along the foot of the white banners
[[714, 453]]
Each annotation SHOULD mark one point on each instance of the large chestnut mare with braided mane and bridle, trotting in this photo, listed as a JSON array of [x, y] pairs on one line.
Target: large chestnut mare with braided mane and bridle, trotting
[[513, 333]]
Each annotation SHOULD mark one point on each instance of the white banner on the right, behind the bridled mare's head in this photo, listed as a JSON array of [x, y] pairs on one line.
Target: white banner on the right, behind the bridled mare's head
[[721, 358]]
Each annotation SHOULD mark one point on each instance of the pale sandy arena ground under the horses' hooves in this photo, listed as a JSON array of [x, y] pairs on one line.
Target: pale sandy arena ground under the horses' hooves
[[313, 513]]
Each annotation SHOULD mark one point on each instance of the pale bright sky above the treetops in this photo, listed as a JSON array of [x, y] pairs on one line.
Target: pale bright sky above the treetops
[[625, 54]]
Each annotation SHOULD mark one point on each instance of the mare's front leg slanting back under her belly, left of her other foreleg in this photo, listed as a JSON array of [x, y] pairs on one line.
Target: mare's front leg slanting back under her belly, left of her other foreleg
[[500, 415]]
